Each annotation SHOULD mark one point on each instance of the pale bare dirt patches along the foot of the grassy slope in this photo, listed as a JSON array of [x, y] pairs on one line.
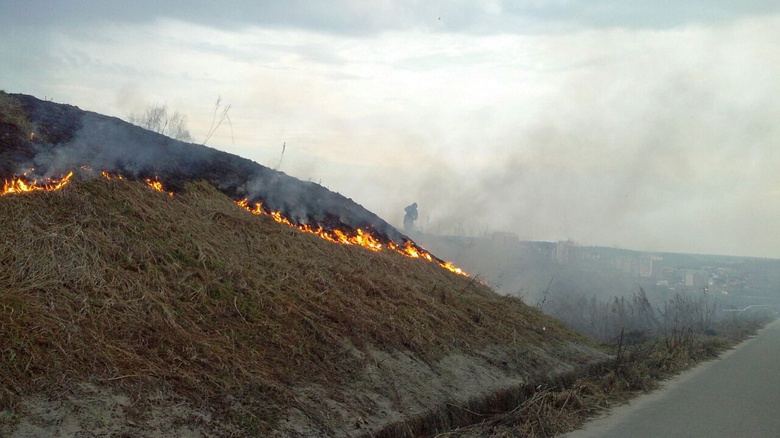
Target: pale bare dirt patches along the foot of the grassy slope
[[391, 388]]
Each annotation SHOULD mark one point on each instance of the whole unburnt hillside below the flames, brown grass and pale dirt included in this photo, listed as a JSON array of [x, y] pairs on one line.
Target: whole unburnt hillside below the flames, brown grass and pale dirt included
[[125, 310]]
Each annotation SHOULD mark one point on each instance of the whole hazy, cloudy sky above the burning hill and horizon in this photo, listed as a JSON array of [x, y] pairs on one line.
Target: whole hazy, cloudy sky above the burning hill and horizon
[[637, 124]]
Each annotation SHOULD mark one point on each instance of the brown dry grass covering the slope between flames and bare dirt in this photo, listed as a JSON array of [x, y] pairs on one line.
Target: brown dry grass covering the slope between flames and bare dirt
[[110, 281]]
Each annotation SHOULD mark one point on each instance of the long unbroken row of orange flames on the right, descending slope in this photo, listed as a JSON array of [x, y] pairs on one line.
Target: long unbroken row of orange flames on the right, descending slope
[[359, 237]]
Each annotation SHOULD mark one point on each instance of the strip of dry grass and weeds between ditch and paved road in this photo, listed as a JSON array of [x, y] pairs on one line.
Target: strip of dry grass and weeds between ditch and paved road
[[564, 403]]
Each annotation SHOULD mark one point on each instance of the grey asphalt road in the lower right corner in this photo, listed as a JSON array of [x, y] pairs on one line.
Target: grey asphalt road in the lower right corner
[[736, 395]]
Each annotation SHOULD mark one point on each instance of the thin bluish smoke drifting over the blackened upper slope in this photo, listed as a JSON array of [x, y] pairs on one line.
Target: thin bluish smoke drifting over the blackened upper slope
[[109, 144]]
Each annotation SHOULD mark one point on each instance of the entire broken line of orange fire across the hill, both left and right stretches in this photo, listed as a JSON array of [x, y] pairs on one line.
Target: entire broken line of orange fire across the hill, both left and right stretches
[[359, 237]]
